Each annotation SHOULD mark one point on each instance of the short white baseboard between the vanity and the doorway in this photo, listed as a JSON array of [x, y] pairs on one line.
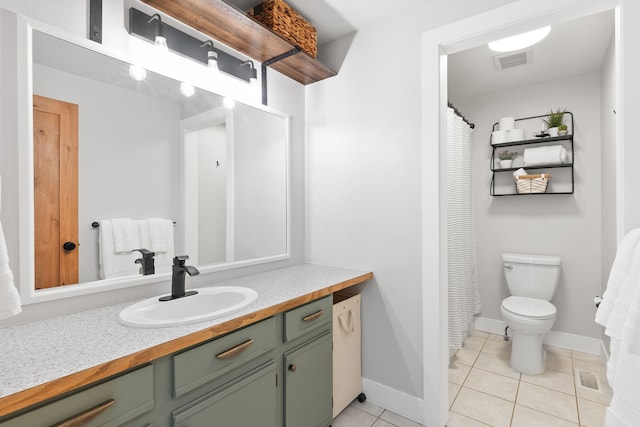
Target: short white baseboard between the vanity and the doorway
[[401, 403]]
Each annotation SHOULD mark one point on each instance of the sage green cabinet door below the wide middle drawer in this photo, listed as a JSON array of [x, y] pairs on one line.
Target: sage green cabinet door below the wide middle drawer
[[249, 401]]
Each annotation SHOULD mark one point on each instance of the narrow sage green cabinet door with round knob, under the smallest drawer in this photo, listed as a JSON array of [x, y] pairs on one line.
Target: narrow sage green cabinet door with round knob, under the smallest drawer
[[308, 383]]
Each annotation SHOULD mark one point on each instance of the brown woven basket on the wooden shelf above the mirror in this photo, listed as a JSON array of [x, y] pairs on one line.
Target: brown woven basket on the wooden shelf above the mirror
[[282, 19]]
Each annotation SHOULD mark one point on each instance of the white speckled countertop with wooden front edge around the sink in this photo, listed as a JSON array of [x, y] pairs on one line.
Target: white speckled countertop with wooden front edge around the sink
[[36, 353]]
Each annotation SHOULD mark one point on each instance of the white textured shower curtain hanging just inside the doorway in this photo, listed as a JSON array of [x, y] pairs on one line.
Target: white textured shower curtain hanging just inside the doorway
[[464, 297]]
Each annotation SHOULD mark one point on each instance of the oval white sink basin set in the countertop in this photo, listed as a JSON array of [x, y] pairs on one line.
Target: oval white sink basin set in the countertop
[[207, 304]]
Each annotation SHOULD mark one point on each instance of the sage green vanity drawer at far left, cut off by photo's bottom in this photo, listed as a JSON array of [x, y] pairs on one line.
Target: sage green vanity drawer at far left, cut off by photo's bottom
[[109, 404]]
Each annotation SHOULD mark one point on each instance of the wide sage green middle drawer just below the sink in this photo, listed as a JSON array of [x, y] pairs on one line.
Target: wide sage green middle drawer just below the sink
[[199, 365]]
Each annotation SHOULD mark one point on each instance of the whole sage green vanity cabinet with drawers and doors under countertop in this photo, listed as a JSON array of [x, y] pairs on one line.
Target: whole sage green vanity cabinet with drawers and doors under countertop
[[274, 373]]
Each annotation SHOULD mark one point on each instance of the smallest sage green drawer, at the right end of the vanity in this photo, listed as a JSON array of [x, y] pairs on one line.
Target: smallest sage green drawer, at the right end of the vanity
[[307, 318]]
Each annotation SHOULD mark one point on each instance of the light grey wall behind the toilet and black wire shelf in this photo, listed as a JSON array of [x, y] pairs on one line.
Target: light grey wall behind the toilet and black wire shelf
[[568, 226]]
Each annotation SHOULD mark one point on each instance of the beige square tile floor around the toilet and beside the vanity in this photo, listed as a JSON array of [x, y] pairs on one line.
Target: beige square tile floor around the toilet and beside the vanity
[[485, 391]]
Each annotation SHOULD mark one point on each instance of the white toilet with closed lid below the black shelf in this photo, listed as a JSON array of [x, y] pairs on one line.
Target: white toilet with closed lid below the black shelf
[[532, 281]]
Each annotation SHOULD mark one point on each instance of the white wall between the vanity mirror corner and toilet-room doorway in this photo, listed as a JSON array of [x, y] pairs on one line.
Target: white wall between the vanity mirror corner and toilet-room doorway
[[364, 189]]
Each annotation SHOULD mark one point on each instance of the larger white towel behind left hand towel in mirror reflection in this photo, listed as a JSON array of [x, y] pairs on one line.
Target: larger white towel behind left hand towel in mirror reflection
[[114, 264]]
